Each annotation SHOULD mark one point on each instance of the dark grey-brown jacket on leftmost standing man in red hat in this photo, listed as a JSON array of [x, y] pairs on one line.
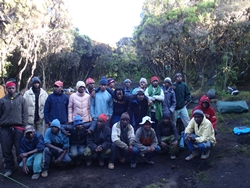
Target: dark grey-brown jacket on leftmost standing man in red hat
[[13, 112]]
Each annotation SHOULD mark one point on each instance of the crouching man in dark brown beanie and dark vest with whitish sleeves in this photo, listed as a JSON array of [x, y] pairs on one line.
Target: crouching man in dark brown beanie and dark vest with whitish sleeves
[[123, 141]]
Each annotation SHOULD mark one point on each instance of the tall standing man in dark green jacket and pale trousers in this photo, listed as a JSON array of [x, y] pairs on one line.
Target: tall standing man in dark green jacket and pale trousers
[[183, 96]]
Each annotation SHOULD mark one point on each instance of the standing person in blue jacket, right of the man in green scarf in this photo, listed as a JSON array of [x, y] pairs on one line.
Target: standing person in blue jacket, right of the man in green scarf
[[169, 103]]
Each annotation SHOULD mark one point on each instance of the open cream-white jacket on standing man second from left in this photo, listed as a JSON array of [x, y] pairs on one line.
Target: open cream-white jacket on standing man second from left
[[30, 99]]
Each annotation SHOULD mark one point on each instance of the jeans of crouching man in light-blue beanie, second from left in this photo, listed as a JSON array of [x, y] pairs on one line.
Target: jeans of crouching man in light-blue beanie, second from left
[[49, 153]]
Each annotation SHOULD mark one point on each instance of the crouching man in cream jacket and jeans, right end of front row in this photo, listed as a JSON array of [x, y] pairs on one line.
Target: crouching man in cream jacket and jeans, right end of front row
[[199, 136]]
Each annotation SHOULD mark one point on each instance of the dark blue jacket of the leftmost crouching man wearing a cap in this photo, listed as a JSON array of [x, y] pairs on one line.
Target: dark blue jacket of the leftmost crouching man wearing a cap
[[29, 145]]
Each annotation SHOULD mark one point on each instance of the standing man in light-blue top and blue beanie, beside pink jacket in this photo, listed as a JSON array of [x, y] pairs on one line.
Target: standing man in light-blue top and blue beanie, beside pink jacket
[[102, 103]]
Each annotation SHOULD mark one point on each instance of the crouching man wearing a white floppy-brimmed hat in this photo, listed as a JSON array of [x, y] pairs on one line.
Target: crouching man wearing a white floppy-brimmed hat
[[146, 141]]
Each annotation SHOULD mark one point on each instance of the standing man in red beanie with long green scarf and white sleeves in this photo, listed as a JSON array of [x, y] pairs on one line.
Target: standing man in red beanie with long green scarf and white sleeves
[[156, 95]]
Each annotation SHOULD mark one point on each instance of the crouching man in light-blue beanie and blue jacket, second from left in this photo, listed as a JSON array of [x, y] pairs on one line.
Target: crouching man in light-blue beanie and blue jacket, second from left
[[57, 145]]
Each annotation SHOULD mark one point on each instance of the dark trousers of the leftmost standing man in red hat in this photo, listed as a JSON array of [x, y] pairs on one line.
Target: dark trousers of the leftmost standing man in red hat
[[10, 136]]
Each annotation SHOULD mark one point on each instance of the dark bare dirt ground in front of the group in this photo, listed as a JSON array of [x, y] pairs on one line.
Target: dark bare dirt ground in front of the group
[[227, 166]]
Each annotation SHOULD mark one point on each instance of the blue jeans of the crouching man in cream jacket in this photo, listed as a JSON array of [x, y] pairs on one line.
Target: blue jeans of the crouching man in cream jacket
[[203, 147]]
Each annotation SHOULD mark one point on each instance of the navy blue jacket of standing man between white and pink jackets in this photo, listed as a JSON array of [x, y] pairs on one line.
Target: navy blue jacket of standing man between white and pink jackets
[[56, 107]]
